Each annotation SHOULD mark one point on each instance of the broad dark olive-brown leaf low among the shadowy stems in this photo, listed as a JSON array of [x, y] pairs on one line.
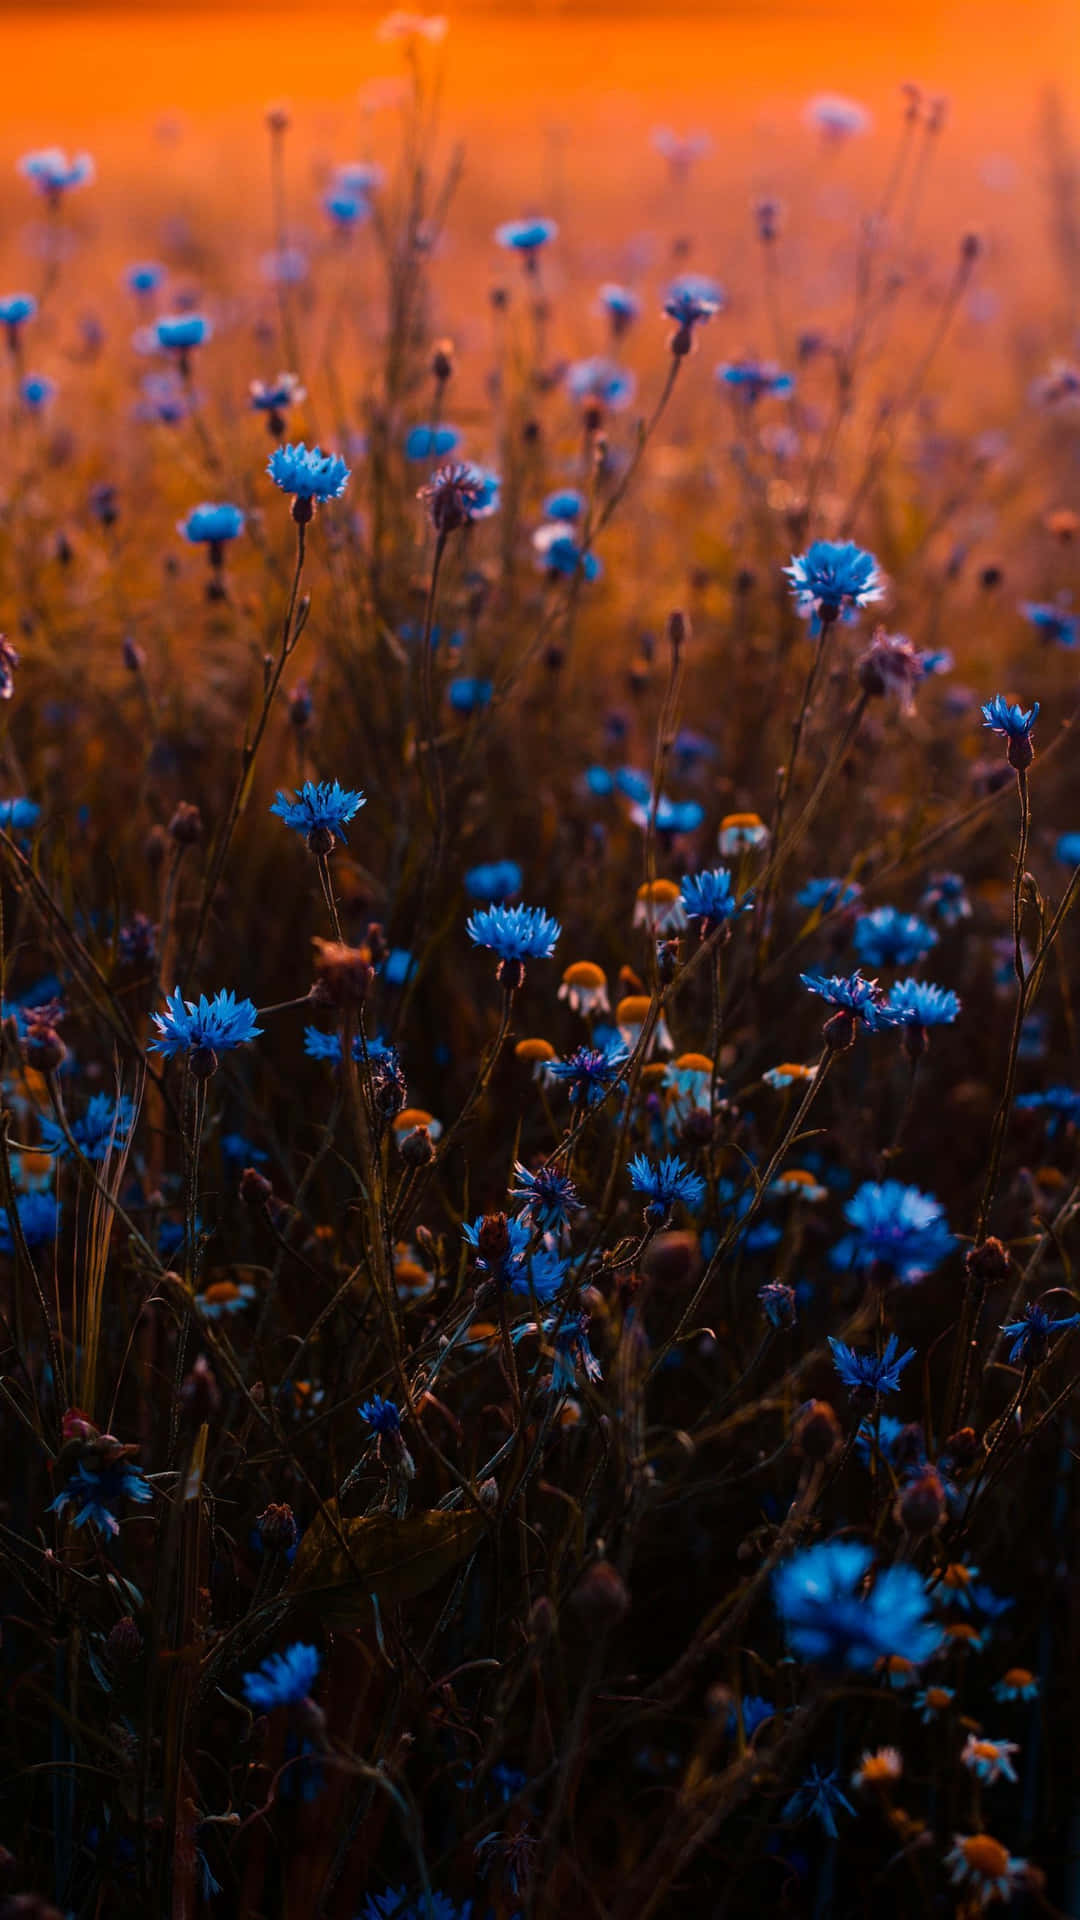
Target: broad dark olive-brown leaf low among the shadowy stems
[[341, 1564]]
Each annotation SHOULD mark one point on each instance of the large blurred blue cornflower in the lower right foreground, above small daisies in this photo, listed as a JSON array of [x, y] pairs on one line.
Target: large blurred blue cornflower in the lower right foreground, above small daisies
[[831, 1618]]
